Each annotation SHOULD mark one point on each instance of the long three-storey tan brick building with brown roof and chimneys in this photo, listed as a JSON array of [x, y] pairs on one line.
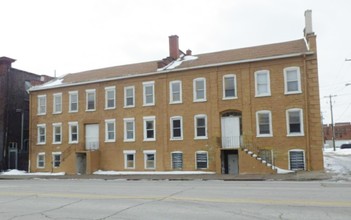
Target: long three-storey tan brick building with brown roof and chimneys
[[236, 111]]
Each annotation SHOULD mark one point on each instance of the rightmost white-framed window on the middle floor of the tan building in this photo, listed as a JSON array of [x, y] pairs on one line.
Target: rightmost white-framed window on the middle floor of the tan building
[[294, 122]]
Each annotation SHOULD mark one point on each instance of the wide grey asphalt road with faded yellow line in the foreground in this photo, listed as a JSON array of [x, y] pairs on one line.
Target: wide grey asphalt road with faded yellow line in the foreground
[[145, 199]]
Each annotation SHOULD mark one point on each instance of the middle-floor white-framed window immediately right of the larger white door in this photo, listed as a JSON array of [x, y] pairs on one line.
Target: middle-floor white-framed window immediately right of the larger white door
[[264, 123]]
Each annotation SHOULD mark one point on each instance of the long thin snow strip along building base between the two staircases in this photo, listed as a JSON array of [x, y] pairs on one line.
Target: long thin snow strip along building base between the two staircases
[[100, 172]]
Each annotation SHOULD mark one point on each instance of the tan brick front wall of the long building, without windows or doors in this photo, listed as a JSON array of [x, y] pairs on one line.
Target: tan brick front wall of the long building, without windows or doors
[[111, 155]]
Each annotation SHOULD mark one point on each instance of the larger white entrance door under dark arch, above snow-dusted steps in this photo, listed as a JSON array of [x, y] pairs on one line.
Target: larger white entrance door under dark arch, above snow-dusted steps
[[230, 132]]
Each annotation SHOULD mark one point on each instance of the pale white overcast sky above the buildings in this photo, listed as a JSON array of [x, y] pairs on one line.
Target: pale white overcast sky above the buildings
[[67, 36]]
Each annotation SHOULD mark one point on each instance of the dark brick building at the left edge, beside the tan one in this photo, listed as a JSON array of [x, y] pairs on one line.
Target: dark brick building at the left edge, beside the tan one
[[14, 114]]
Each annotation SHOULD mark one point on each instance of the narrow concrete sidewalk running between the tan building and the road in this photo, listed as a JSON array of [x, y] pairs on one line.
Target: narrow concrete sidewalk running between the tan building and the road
[[299, 176]]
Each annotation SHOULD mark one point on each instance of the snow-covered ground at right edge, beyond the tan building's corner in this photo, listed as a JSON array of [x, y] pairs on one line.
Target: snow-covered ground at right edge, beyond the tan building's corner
[[338, 163]]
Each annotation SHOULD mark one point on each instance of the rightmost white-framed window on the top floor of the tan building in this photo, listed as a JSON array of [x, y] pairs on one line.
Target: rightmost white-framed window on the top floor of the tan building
[[292, 80]]
